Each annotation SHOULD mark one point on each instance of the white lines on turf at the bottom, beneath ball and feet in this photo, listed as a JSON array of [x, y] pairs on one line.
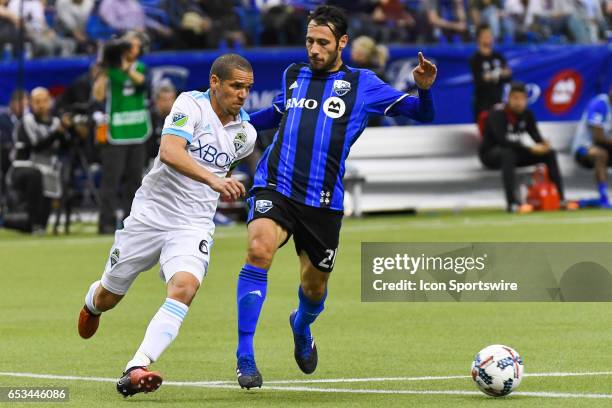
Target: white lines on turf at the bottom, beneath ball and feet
[[232, 385]]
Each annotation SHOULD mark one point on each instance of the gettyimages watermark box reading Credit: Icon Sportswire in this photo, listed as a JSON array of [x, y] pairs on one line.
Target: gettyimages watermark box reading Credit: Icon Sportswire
[[472, 272]]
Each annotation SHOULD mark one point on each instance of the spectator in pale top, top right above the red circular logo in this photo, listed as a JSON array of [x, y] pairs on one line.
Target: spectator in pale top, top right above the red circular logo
[[556, 17]]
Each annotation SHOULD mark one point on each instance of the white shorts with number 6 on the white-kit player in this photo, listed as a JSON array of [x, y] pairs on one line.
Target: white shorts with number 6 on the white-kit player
[[138, 248]]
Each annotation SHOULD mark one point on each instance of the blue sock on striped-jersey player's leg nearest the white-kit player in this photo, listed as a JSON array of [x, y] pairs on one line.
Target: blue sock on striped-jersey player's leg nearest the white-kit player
[[250, 295]]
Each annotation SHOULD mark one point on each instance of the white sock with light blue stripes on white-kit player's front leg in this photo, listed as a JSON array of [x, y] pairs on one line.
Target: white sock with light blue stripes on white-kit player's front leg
[[164, 328]]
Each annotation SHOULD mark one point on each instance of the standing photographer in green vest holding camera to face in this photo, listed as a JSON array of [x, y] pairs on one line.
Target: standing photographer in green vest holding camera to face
[[122, 83]]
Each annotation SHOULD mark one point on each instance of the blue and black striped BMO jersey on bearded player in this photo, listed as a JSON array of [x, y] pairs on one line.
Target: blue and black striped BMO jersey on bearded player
[[323, 114]]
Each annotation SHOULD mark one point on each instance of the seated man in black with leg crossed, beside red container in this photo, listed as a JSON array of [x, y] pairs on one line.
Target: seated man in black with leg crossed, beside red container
[[512, 139]]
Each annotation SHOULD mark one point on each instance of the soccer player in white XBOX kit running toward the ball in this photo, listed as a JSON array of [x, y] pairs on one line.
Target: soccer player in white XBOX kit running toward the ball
[[171, 218]]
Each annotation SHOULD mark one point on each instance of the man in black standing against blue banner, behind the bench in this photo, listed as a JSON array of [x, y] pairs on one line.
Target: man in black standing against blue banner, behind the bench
[[490, 72]]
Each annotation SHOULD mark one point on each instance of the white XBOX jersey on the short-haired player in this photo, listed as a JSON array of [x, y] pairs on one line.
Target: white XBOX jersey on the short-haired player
[[168, 200]]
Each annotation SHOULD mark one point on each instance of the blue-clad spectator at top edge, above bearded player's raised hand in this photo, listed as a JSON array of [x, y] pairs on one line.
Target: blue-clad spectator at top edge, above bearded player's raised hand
[[447, 20]]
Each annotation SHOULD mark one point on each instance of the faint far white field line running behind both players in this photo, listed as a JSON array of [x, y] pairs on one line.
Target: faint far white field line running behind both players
[[240, 231]]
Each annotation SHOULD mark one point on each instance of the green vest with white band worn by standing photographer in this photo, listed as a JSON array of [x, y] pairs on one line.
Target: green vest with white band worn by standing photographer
[[126, 104]]
